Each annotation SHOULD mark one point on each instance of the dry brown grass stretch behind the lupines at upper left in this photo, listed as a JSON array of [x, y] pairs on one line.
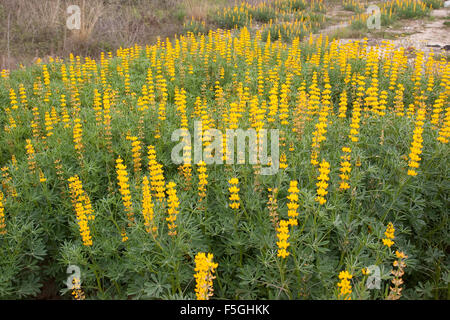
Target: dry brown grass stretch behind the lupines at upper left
[[37, 28]]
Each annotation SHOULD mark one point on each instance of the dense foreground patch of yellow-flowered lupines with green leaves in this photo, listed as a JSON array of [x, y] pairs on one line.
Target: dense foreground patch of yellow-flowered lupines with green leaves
[[363, 153]]
